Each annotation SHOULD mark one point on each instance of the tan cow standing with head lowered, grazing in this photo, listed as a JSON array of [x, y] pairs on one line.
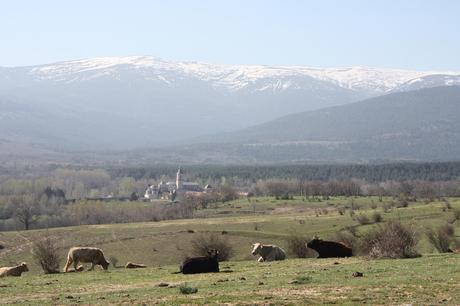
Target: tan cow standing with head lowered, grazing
[[86, 254]]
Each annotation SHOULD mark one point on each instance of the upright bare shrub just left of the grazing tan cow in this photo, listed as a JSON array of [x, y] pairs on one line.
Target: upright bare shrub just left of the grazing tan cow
[[45, 254]]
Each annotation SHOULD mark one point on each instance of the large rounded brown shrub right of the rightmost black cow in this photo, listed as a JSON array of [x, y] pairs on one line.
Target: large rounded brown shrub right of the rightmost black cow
[[392, 240]]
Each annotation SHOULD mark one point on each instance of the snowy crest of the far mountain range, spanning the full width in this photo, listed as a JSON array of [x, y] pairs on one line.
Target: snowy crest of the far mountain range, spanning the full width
[[224, 75]]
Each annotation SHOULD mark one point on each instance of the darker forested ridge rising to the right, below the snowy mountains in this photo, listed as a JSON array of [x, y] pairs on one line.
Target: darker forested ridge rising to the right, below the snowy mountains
[[418, 125]]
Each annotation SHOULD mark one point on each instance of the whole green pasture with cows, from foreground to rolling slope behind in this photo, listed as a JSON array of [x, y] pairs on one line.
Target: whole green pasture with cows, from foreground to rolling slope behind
[[430, 279]]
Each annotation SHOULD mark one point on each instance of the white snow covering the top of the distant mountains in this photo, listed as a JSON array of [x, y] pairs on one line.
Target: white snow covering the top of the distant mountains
[[231, 77]]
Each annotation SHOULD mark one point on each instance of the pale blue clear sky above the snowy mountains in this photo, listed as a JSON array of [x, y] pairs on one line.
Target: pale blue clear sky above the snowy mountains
[[410, 34]]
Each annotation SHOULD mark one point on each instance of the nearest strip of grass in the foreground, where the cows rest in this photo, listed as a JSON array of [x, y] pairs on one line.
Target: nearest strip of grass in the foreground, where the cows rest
[[431, 279]]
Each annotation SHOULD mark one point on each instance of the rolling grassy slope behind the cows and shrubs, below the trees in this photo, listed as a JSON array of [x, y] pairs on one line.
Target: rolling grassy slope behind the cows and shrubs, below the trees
[[262, 219]]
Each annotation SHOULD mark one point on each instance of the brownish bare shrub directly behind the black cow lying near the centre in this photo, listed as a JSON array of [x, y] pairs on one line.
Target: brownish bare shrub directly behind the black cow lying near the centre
[[205, 242]]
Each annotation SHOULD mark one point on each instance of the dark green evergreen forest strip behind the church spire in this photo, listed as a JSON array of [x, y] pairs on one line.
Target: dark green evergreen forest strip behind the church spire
[[403, 171]]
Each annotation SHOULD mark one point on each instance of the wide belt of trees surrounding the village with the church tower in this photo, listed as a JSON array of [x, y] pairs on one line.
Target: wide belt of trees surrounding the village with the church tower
[[58, 196]]
